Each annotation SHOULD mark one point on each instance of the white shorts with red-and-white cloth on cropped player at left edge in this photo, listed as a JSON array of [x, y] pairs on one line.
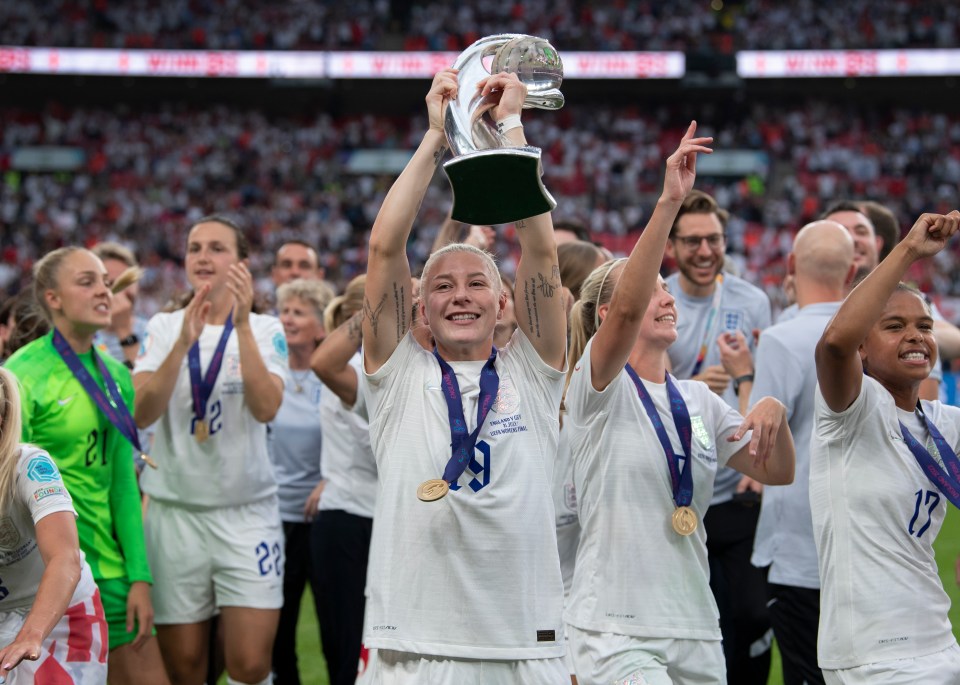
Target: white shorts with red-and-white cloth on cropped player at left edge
[[75, 652]]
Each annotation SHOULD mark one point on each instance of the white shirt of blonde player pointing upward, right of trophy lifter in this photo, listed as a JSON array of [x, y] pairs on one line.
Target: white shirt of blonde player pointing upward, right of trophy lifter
[[635, 575]]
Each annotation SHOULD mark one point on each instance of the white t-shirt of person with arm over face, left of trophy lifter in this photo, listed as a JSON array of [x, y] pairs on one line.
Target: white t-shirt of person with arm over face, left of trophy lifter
[[349, 466]]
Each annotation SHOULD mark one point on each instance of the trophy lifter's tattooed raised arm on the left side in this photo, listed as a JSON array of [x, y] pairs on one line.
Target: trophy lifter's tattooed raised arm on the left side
[[386, 302]]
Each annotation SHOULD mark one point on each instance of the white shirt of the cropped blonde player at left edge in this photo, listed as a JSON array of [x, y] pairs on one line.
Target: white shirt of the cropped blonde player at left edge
[[38, 492]]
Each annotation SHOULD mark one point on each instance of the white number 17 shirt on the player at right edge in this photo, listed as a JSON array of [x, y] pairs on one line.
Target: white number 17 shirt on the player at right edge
[[875, 517]]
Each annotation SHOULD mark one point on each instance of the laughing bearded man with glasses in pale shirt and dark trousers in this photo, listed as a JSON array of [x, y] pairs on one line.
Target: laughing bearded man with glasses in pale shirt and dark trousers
[[717, 316]]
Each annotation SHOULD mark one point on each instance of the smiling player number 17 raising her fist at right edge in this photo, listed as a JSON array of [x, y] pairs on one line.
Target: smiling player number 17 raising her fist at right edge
[[882, 466]]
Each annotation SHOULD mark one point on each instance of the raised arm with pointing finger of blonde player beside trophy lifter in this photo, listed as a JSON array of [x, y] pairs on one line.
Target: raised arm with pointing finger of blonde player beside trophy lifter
[[621, 325]]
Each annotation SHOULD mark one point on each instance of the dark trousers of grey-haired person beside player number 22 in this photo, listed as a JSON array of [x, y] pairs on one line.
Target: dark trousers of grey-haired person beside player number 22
[[300, 568]]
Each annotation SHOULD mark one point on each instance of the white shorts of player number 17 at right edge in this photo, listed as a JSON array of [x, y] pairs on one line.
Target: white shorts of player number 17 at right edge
[[940, 668]]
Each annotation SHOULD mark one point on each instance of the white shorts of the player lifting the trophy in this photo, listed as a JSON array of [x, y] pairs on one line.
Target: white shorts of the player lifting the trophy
[[405, 668]]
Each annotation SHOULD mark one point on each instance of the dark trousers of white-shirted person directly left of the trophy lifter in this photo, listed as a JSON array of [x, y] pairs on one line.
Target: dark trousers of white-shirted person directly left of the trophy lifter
[[341, 549]]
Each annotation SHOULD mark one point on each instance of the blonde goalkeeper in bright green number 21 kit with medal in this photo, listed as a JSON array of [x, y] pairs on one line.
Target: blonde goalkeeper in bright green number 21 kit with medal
[[76, 407]]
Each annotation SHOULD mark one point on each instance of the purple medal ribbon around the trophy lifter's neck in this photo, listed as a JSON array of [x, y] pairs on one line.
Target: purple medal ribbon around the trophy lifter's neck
[[462, 442]]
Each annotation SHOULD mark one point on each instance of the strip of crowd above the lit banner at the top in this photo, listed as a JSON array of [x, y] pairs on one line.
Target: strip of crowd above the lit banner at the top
[[692, 25]]
